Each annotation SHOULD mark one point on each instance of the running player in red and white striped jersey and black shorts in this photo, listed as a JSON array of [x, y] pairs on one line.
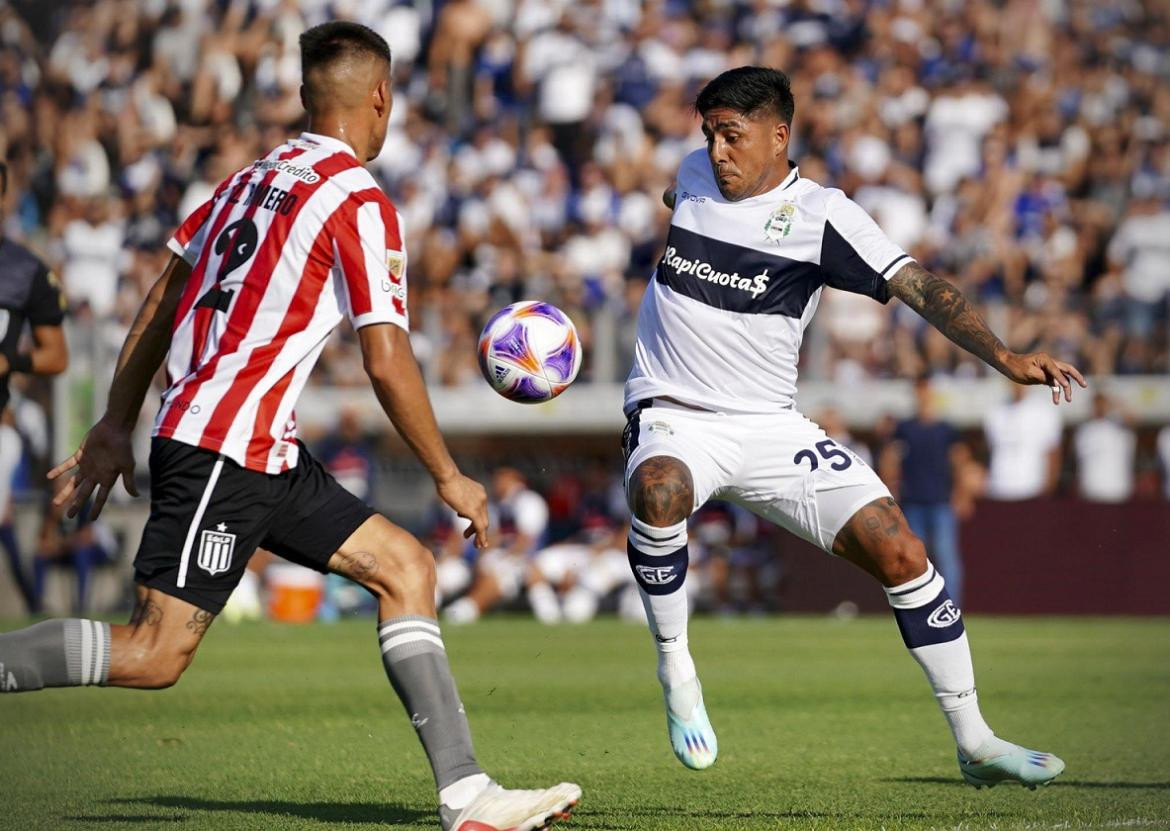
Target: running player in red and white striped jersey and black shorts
[[261, 274]]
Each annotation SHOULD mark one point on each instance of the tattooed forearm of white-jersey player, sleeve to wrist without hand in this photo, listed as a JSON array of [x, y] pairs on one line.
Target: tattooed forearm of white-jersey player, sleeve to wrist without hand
[[945, 307]]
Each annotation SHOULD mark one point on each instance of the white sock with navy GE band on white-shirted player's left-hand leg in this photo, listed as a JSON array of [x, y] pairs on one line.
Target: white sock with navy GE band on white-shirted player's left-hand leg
[[659, 560]]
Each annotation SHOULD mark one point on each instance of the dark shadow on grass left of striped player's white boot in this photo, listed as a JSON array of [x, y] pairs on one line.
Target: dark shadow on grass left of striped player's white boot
[[321, 812]]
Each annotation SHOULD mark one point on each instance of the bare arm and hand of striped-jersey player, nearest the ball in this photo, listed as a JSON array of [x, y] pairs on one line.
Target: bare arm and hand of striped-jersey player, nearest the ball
[[395, 374]]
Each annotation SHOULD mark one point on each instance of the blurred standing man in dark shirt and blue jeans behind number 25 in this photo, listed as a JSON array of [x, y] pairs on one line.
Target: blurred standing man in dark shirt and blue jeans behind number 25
[[924, 458]]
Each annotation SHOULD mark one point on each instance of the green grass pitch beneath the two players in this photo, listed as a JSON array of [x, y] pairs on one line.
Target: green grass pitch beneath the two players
[[823, 725]]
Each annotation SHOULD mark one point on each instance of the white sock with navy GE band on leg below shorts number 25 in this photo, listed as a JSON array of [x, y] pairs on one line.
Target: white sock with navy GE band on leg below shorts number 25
[[933, 631]]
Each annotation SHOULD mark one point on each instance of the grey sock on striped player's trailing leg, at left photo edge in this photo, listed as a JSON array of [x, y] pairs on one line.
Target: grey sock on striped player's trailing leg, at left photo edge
[[56, 654]]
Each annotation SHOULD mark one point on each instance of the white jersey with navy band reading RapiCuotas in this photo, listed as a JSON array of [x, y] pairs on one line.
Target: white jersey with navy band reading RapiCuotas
[[721, 324]]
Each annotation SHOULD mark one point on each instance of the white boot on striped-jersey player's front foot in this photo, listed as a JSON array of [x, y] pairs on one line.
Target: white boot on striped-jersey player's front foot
[[500, 809]]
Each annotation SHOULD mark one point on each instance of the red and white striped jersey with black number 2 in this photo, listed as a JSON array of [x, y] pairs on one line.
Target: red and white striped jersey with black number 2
[[279, 255]]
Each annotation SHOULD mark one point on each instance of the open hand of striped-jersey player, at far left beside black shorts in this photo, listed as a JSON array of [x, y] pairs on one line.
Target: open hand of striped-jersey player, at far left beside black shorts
[[105, 455]]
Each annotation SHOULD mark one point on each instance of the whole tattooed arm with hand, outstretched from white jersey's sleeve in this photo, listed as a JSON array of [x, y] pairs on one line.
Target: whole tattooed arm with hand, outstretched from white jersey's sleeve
[[945, 307]]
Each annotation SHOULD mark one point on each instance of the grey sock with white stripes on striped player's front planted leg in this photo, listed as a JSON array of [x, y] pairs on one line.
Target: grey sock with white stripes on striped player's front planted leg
[[416, 663]]
